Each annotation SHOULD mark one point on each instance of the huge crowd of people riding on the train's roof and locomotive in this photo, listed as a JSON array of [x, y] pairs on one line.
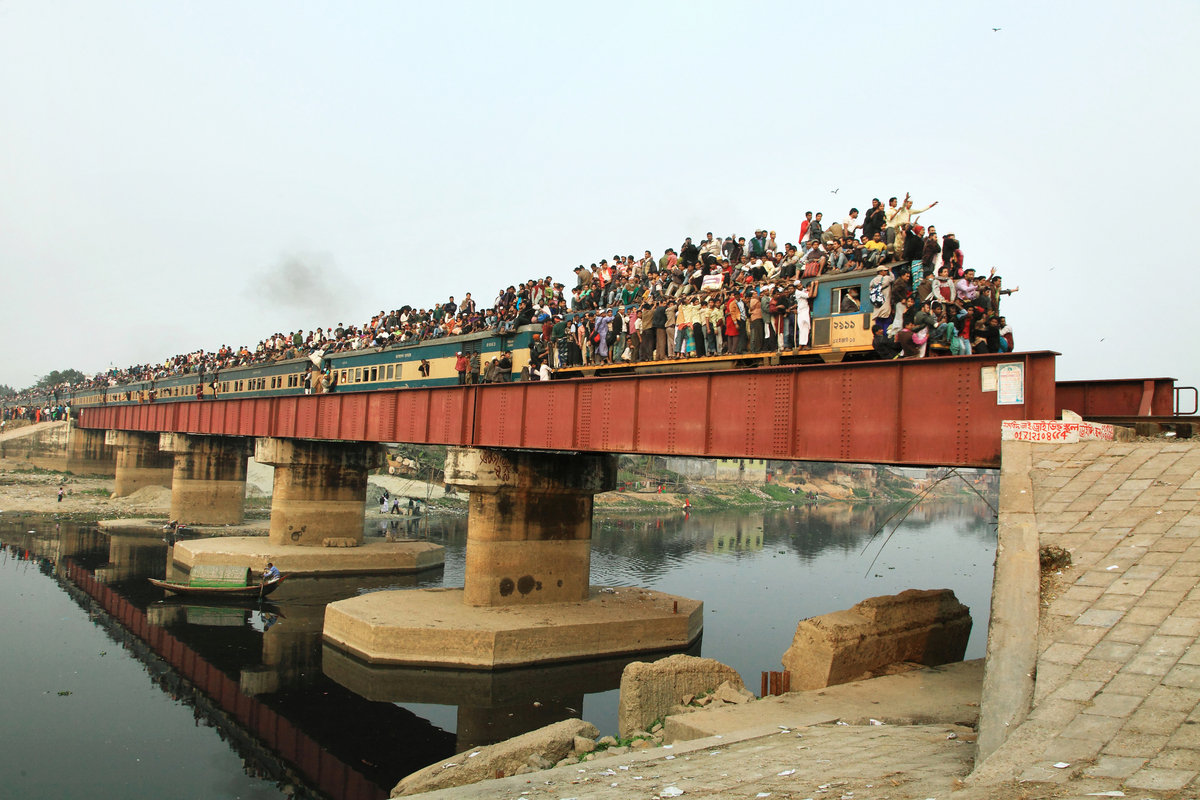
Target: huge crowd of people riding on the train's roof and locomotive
[[710, 297]]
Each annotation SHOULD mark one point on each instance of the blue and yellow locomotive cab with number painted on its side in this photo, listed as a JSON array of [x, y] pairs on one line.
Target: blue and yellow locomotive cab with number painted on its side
[[842, 317]]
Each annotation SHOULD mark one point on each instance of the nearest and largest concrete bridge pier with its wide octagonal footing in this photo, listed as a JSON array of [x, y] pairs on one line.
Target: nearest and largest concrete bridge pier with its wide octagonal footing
[[527, 598]]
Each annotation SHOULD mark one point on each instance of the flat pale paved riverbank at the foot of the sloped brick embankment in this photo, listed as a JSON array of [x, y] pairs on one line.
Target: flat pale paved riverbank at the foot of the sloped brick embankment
[[917, 727]]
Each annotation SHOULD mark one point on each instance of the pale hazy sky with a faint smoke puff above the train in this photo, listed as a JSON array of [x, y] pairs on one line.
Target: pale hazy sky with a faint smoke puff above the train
[[177, 177]]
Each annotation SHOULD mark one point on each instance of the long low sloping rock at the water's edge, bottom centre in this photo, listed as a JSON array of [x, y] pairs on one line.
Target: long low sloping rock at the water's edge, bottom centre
[[551, 744]]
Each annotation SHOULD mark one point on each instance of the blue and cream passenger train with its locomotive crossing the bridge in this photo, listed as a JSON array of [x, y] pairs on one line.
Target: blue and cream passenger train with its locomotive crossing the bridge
[[836, 336]]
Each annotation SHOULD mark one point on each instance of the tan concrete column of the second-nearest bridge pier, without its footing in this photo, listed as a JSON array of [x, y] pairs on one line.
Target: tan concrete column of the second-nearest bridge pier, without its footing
[[321, 490]]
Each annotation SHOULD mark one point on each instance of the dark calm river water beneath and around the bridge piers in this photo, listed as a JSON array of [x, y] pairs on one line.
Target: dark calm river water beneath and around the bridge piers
[[112, 691]]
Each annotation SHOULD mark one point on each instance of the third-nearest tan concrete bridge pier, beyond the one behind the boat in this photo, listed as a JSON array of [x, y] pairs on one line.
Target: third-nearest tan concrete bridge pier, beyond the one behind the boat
[[209, 479]]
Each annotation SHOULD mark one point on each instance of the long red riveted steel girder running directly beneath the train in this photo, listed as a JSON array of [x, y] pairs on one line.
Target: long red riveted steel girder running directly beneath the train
[[928, 412]]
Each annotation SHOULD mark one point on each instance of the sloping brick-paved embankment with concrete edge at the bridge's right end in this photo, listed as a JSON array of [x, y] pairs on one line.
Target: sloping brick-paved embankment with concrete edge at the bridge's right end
[[1108, 697]]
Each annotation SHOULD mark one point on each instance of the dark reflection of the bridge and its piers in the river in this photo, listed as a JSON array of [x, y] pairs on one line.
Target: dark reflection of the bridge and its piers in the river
[[253, 672]]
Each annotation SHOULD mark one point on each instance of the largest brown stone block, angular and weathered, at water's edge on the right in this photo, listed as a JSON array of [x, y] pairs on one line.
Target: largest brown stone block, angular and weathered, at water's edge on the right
[[928, 628]]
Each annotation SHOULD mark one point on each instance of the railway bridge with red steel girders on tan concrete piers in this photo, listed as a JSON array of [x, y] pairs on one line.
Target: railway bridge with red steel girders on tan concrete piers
[[532, 458]]
